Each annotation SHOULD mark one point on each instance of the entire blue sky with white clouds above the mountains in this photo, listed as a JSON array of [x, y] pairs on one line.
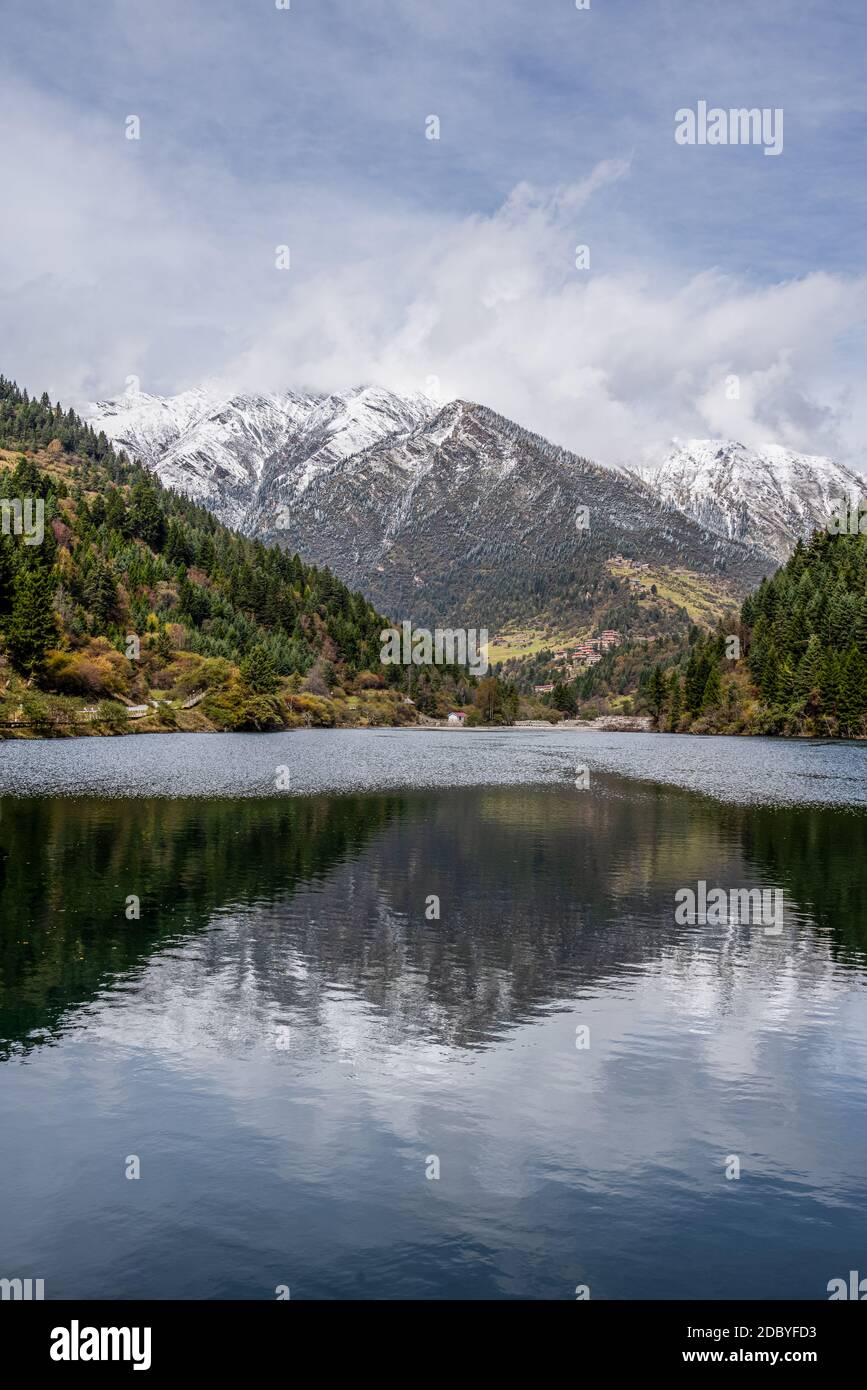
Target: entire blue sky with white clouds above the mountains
[[723, 294]]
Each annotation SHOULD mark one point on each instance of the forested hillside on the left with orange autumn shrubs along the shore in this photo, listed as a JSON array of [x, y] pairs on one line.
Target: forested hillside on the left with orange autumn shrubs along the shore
[[138, 597]]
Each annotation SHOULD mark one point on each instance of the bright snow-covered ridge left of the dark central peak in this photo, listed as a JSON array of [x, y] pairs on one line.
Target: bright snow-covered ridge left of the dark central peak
[[219, 450]]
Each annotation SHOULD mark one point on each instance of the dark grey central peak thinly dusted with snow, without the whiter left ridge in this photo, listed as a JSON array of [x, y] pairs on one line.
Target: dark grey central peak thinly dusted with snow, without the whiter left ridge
[[470, 519]]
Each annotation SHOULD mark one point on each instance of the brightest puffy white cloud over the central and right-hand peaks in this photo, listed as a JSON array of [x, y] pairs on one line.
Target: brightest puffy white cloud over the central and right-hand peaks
[[608, 363]]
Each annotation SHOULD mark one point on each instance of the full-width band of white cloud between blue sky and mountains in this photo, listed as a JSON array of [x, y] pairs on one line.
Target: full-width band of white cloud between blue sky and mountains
[[117, 265]]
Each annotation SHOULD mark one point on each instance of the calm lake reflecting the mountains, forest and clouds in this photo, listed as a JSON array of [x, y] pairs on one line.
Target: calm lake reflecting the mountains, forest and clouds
[[291, 1045]]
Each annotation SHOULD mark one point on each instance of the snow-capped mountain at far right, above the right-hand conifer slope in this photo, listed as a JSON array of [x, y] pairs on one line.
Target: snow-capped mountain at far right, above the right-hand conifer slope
[[766, 498]]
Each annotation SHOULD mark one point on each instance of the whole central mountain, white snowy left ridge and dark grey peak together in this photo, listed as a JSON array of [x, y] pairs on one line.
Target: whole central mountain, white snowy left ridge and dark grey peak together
[[440, 514]]
